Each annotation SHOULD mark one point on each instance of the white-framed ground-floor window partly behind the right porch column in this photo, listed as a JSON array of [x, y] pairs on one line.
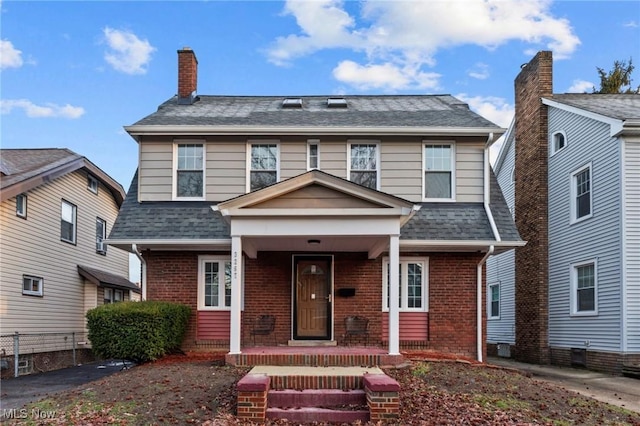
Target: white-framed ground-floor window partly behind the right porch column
[[413, 284]]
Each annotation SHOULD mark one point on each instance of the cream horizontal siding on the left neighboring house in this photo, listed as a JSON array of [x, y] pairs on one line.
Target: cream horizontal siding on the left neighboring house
[[33, 247]]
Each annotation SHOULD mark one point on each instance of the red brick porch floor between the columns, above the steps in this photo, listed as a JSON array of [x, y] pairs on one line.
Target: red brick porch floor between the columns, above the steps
[[314, 356]]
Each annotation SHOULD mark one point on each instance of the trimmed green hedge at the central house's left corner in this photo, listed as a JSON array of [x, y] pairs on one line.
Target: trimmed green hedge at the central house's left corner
[[138, 331]]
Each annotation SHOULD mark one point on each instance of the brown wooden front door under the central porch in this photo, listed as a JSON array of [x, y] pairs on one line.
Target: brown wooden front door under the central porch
[[312, 298]]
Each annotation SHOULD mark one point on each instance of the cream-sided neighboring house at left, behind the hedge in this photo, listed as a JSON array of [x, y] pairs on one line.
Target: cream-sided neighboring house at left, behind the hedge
[[56, 211]]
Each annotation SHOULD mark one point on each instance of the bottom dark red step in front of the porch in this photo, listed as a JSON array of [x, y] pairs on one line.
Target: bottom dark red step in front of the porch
[[314, 414]]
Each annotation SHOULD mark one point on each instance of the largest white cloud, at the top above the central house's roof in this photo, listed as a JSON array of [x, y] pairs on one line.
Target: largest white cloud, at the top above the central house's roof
[[406, 35]]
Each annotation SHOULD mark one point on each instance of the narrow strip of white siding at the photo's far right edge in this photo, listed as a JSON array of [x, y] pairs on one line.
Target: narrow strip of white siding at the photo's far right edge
[[632, 242]]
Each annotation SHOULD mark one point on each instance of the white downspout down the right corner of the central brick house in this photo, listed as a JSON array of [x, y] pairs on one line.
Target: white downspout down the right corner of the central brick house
[[486, 200]]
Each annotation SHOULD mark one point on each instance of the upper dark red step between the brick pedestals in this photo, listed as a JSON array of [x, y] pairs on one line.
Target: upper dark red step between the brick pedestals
[[325, 398]]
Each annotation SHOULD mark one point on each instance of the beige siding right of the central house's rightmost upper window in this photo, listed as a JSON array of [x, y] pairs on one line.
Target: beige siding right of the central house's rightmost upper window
[[469, 172]]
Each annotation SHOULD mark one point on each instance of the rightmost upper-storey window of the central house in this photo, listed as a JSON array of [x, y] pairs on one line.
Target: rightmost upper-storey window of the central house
[[439, 166]]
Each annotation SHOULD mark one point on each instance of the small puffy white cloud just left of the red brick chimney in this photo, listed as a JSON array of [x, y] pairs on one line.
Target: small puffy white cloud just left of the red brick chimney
[[127, 53]]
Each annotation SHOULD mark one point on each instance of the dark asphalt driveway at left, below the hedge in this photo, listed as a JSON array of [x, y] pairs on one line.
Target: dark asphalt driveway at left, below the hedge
[[16, 392]]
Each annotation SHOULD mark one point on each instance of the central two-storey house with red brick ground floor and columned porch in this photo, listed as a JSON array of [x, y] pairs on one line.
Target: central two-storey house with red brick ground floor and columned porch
[[314, 208]]
